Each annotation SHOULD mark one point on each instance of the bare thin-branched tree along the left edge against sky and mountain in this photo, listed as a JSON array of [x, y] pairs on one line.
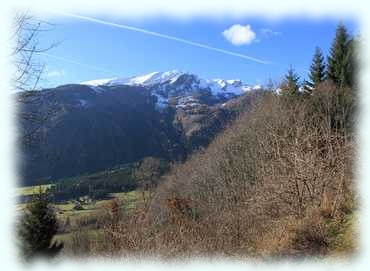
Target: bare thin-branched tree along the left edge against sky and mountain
[[34, 108]]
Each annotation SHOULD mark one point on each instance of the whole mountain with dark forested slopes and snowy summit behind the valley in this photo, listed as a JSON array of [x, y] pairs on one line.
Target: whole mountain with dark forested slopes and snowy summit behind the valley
[[104, 123]]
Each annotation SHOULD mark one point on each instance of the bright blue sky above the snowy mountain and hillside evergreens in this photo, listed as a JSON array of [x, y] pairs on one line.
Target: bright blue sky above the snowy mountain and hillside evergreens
[[105, 51]]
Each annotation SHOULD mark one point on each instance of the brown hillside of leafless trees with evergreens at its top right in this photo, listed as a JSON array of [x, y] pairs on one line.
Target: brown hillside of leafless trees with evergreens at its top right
[[277, 182]]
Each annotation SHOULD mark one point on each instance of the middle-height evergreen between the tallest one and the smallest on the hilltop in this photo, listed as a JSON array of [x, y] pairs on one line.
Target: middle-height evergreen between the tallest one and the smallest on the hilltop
[[317, 70]]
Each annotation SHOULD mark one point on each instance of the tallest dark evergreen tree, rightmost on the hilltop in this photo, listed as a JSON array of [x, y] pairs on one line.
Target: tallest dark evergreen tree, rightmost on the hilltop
[[340, 58]]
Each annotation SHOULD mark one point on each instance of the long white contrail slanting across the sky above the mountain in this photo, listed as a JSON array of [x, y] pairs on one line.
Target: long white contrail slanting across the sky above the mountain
[[160, 35]]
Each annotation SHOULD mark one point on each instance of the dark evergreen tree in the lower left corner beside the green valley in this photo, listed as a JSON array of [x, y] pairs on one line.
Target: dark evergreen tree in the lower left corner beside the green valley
[[37, 228]]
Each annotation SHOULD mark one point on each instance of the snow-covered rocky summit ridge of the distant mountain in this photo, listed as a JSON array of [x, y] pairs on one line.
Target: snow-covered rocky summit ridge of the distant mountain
[[178, 85]]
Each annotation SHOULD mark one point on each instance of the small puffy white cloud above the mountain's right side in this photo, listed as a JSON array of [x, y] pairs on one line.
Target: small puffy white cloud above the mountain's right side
[[240, 34]]
